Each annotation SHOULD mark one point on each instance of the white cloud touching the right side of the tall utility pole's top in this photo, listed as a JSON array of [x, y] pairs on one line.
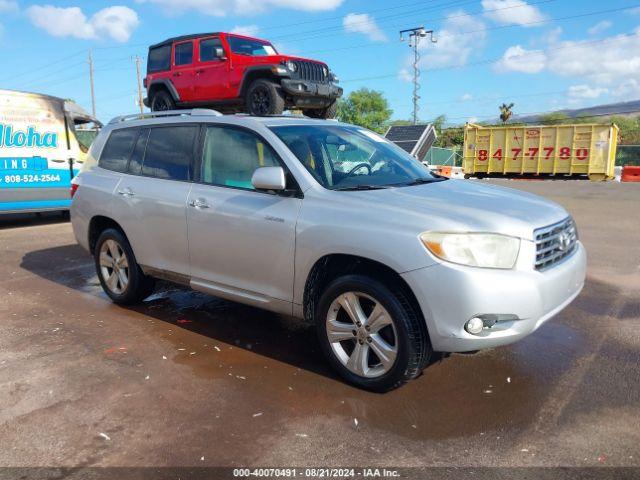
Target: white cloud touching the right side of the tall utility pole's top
[[459, 36]]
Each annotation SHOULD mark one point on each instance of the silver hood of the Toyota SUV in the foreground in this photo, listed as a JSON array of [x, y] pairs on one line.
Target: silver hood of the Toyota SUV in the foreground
[[464, 206]]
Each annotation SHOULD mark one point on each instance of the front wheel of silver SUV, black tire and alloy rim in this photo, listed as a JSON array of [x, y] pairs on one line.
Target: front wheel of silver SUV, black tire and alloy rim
[[372, 336]]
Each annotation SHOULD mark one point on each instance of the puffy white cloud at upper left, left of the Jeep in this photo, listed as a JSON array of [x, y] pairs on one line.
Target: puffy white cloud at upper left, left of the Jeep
[[115, 22]]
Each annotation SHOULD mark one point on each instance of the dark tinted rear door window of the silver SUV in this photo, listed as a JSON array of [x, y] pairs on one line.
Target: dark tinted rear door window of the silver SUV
[[169, 152]]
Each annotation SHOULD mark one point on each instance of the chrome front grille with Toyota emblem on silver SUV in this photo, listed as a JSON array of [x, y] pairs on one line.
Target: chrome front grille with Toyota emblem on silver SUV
[[555, 243]]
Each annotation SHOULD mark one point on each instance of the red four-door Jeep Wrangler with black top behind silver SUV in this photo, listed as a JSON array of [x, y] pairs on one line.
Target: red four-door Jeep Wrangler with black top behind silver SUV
[[234, 73]]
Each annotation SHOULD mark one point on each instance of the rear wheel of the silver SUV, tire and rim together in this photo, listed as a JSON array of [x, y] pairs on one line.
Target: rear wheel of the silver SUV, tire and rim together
[[120, 275]]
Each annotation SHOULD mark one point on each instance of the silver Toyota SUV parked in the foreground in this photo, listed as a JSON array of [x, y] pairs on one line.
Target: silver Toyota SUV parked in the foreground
[[390, 262]]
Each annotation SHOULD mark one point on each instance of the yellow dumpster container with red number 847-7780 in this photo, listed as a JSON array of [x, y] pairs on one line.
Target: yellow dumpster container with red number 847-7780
[[574, 150]]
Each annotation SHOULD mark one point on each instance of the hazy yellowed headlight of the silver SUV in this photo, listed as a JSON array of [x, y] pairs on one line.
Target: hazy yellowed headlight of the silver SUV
[[488, 250]]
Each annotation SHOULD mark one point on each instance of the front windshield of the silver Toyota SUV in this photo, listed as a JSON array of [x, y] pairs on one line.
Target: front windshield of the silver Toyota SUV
[[351, 158]]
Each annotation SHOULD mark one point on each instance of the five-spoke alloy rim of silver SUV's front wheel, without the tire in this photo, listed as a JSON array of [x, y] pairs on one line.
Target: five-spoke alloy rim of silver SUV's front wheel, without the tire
[[362, 334]]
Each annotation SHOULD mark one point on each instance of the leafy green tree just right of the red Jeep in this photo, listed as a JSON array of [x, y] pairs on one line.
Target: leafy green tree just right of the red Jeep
[[367, 108]]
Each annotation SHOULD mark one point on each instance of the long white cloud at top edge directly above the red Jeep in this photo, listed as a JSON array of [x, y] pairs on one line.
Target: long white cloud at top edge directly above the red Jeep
[[221, 8]]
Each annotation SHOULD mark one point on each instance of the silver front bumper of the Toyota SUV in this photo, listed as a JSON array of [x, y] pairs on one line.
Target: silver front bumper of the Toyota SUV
[[450, 295]]
